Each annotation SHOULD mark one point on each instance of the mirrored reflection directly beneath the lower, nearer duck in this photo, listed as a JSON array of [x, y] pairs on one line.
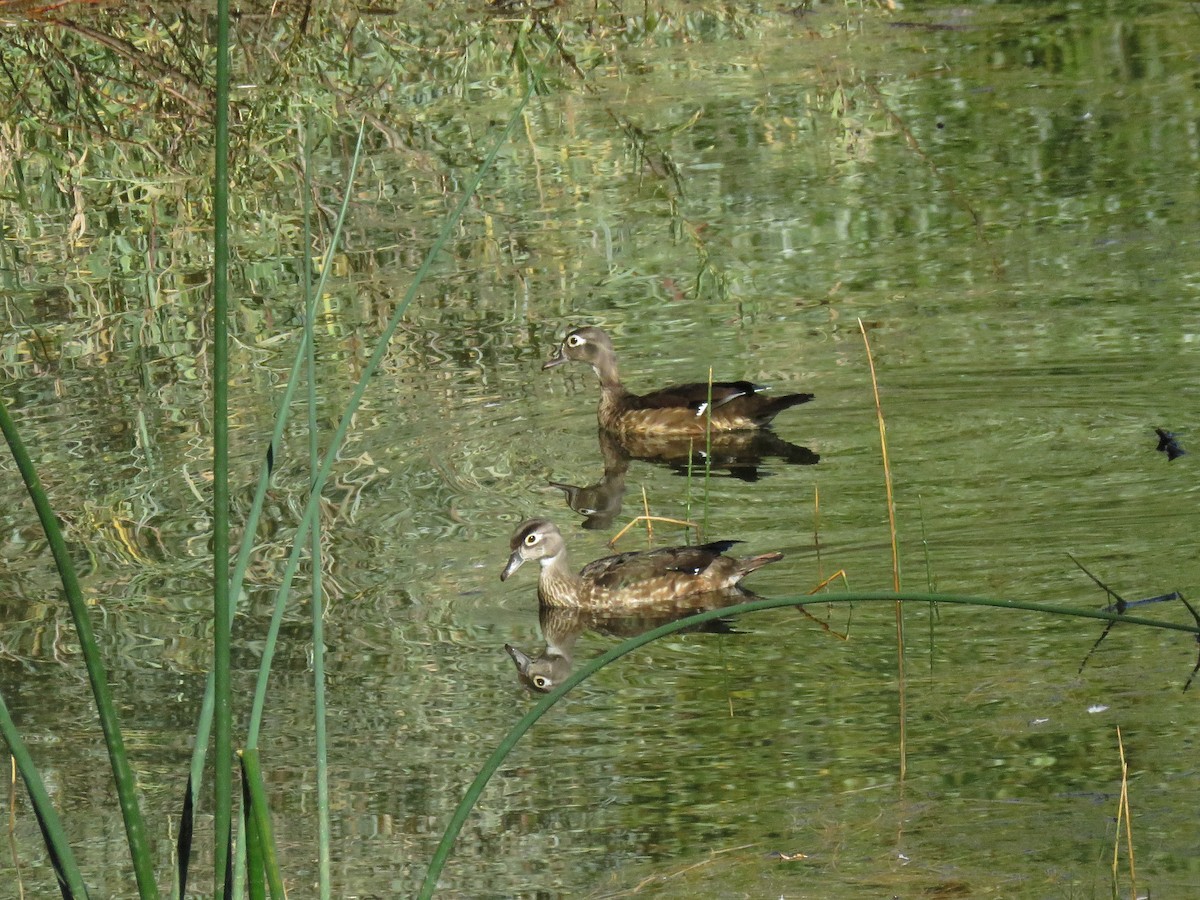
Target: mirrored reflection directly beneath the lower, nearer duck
[[562, 627]]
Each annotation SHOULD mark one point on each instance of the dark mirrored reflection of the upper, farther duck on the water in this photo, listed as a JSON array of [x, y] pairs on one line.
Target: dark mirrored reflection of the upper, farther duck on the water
[[740, 454]]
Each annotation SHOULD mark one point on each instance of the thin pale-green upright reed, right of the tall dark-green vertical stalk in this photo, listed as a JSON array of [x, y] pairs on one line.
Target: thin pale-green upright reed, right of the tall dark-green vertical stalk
[[325, 865]]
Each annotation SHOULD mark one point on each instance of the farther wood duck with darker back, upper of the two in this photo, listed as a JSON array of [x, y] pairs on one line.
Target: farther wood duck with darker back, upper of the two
[[683, 410]]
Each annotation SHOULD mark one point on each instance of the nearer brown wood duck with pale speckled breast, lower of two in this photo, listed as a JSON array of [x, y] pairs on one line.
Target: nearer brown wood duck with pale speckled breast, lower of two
[[629, 581]]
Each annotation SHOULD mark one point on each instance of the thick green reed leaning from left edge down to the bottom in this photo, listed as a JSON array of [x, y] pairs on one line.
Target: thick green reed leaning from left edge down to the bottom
[[123, 773]]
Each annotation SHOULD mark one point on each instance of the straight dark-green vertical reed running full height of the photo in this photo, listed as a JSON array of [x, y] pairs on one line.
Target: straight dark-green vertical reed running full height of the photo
[[223, 610]]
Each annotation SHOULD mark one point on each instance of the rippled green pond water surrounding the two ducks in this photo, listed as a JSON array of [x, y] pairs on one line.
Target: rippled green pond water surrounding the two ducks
[[1005, 196]]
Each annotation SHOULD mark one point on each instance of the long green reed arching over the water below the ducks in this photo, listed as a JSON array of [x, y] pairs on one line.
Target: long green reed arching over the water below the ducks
[[511, 741]]
